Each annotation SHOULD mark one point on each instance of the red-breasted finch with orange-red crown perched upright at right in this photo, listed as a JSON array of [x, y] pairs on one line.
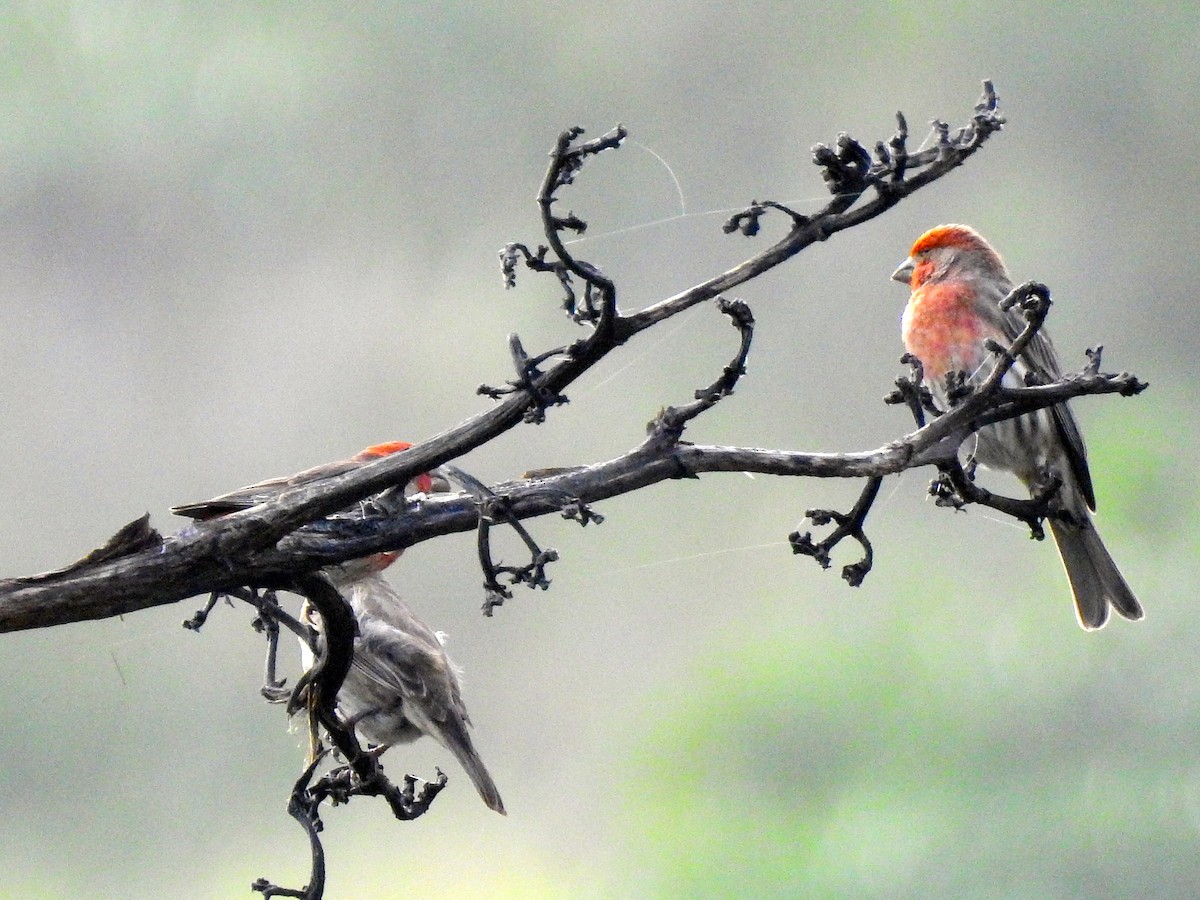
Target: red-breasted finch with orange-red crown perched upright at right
[[958, 283]]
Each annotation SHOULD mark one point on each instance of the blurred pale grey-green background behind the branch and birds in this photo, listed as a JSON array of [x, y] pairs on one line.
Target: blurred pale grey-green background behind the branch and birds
[[238, 241]]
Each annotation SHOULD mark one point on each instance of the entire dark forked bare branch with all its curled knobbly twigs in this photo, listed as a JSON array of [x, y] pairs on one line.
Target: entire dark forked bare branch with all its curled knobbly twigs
[[283, 543]]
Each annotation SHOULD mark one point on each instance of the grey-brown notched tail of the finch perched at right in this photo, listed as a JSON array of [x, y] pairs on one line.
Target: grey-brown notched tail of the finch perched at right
[[1095, 579]]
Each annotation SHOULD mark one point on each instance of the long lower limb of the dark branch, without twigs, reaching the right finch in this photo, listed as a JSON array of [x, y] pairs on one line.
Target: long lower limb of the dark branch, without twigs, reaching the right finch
[[173, 573]]
